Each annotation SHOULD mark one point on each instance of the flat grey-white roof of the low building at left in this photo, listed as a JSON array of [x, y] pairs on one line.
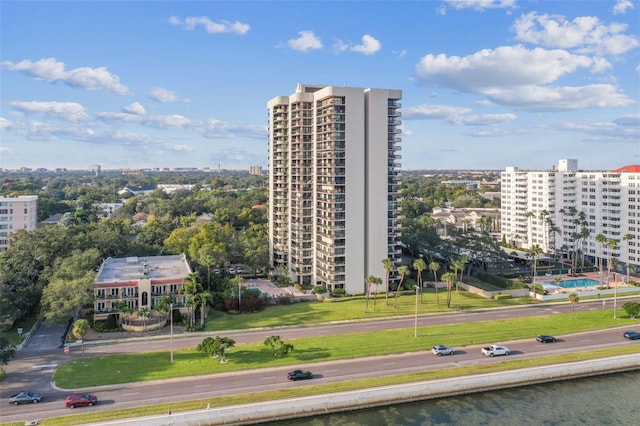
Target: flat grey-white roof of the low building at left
[[137, 268]]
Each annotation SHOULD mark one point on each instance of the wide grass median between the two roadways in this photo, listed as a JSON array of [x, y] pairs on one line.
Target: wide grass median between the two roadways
[[118, 369]]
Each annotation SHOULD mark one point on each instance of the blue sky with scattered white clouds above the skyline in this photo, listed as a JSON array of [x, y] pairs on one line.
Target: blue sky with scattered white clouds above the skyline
[[486, 83]]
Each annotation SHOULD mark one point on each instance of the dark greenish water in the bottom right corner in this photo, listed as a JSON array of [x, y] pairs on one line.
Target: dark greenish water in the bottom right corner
[[603, 400]]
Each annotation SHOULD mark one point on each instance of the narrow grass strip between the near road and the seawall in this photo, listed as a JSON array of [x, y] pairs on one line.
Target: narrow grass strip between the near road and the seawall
[[315, 389]]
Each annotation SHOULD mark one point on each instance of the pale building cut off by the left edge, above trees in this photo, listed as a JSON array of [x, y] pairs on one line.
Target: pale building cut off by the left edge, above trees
[[19, 212]]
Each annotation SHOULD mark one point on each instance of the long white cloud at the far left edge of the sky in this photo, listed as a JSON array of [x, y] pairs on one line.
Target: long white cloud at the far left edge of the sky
[[49, 69]]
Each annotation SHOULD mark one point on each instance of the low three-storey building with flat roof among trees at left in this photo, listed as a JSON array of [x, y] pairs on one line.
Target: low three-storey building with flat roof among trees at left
[[139, 282]]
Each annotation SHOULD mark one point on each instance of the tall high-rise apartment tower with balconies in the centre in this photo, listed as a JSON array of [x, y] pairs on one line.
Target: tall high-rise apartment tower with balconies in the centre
[[333, 184]]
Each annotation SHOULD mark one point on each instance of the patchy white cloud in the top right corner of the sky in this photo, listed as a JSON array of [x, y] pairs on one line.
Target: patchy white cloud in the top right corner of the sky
[[586, 34]]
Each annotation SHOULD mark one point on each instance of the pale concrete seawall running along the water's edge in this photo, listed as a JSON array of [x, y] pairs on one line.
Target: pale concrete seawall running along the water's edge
[[346, 401]]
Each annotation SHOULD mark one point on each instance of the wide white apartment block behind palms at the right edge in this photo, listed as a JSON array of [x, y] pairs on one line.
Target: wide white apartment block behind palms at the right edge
[[550, 207]]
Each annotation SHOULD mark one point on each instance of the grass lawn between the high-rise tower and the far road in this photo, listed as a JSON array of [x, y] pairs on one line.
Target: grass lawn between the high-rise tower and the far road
[[354, 309]]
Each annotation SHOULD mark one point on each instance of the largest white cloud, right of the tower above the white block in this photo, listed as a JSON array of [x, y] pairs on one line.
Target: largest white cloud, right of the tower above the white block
[[519, 77]]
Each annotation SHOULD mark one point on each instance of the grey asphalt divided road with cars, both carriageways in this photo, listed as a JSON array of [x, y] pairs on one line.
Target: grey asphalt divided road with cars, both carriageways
[[32, 369]]
